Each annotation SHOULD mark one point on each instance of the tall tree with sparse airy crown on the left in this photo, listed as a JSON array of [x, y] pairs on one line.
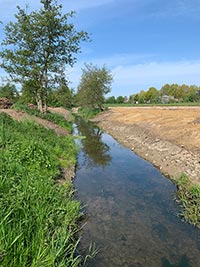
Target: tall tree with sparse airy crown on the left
[[38, 46]]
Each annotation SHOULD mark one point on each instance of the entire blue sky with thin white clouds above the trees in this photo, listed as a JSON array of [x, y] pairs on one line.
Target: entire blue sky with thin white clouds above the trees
[[143, 43]]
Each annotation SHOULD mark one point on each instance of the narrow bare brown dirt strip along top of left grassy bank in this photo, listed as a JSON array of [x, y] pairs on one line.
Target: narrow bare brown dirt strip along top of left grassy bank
[[20, 115]]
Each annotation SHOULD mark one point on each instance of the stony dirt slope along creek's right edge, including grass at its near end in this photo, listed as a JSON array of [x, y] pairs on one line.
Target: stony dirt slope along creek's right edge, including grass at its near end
[[170, 159]]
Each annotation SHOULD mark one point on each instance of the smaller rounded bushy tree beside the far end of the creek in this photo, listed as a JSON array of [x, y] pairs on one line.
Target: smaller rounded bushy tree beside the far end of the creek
[[94, 84]]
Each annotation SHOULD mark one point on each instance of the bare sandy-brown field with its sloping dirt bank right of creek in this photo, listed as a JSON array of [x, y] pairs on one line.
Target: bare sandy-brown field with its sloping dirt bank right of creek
[[168, 137]]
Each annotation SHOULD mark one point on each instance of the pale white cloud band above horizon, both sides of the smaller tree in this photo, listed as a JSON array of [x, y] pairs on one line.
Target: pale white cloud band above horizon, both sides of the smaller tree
[[131, 78]]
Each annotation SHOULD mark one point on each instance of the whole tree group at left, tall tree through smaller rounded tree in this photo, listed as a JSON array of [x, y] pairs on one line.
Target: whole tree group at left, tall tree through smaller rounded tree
[[35, 52]]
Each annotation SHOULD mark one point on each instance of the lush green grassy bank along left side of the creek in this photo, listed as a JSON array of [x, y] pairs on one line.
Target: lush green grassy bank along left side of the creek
[[38, 215]]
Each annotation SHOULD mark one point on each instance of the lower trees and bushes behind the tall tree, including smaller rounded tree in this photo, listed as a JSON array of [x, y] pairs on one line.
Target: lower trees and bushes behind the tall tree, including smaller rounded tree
[[95, 83]]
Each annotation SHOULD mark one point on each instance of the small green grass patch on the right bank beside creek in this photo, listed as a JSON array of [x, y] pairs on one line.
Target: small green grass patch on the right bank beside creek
[[189, 199]]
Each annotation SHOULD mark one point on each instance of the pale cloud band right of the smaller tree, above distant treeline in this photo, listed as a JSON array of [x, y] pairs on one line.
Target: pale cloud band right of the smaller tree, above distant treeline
[[134, 78]]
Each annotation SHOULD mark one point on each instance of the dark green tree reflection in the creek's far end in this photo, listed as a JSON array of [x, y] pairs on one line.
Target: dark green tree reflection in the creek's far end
[[93, 147]]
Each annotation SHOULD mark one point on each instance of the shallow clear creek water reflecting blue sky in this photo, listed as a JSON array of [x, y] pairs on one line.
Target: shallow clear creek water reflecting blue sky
[[132, 216]]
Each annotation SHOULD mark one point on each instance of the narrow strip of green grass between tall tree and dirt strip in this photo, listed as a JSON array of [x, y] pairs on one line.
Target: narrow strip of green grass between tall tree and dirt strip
[[56, 118]]
